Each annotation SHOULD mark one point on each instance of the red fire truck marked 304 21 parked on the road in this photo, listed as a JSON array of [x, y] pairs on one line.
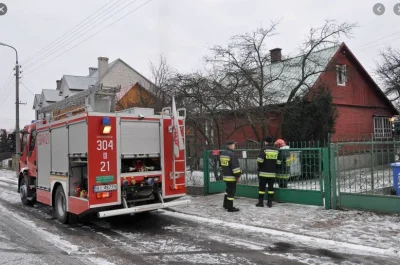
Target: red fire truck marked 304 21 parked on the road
[[82, 157]]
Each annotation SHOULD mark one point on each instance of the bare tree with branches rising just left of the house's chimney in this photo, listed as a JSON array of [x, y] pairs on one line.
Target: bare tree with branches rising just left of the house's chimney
[[247, 63]]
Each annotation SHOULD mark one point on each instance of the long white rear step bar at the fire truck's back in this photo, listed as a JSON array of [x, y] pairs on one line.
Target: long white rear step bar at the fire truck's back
[[142, 208]]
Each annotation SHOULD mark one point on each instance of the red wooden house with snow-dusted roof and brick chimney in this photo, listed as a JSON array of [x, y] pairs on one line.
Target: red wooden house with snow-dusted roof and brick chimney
[[363, 108]]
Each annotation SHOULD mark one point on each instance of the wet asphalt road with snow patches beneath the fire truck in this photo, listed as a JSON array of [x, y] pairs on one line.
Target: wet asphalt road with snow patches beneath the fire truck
[[30, 235]]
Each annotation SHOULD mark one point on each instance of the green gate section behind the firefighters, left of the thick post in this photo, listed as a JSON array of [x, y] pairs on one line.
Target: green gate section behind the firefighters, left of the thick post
[[309, 181]]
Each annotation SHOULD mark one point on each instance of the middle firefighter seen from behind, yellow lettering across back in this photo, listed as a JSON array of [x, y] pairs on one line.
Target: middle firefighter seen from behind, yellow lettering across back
[[266, 162]]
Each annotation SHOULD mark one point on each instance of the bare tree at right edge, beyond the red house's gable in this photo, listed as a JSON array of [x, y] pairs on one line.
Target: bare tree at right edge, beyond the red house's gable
[[388, 71]]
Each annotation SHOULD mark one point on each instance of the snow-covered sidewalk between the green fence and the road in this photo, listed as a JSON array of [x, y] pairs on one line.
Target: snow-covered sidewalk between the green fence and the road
[[355, 227]]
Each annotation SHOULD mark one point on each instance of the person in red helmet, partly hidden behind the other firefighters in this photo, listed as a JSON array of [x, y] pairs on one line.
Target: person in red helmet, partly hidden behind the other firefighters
[[283, 164]]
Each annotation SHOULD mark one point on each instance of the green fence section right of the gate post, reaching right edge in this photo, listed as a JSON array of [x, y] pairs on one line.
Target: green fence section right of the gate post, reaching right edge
[[363, 175]]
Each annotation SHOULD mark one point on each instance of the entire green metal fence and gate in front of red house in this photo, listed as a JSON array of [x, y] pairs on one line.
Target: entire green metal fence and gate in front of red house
[[353, 175]]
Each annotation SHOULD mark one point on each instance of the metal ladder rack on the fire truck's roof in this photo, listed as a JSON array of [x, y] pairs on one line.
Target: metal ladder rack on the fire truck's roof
[[86, 99]]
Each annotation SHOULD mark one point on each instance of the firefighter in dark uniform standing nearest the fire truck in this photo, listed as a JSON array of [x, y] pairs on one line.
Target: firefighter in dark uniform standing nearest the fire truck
[[231, 172]]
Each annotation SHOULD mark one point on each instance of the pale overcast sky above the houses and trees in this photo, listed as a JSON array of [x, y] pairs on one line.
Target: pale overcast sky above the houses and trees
[[182, 30]]
